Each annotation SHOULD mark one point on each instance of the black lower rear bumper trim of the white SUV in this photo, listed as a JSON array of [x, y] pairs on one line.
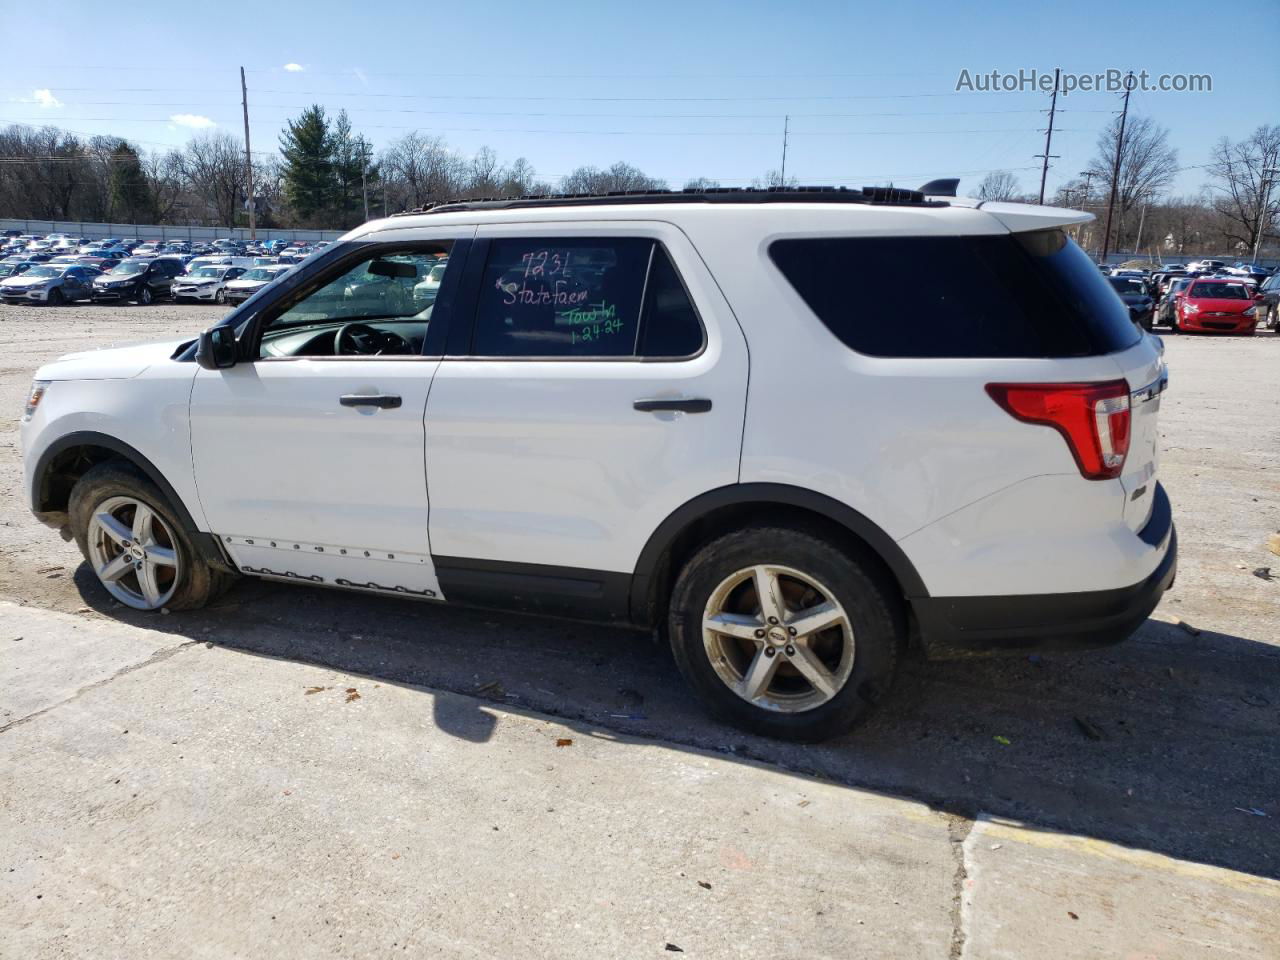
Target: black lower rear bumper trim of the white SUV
[[976, 627]]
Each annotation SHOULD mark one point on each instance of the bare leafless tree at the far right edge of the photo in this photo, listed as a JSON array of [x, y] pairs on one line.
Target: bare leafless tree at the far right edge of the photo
[[1240, 188]]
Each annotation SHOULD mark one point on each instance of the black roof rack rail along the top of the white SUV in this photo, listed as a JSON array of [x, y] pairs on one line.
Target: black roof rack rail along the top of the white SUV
[[703, 195]]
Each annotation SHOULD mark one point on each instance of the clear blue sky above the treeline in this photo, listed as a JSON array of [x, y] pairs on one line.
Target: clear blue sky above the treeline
[[678, 89]]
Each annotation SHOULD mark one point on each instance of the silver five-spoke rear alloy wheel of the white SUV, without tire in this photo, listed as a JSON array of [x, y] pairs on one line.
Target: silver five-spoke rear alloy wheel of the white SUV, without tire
[[779, 638]]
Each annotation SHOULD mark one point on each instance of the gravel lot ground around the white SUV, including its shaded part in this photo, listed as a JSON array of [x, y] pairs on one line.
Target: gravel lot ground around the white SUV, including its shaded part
[[1164, 743]]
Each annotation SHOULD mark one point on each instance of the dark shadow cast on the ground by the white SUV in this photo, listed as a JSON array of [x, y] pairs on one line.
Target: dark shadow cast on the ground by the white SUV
[[1169, 743]]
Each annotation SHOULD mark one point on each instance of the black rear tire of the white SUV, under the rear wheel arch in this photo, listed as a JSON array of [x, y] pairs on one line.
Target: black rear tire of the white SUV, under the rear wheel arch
[[857, 653]]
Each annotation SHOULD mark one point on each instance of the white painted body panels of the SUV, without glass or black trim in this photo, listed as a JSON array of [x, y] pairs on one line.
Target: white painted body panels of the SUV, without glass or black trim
[[547, 463]]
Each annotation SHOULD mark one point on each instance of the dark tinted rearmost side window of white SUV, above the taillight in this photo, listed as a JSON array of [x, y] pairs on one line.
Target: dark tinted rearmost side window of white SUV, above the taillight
[[1026, 295]]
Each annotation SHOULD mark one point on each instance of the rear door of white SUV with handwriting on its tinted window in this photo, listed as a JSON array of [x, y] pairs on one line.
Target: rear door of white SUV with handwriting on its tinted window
[[602, 386]]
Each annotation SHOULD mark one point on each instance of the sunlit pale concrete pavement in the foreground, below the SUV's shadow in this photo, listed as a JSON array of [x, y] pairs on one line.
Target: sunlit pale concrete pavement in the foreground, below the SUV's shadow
[[164, 797]]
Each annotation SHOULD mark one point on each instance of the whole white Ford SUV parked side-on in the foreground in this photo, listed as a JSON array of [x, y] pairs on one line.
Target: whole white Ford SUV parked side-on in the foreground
[[748, 419]]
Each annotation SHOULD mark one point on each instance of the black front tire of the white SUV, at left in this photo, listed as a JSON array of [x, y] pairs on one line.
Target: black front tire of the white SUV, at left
[[117, 490]]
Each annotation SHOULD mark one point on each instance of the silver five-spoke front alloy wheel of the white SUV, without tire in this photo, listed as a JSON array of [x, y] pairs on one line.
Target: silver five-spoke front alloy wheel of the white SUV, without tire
[[134, 554]]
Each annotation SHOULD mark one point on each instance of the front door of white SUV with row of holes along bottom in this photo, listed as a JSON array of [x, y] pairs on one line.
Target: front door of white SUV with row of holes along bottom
[[309, 456]]
